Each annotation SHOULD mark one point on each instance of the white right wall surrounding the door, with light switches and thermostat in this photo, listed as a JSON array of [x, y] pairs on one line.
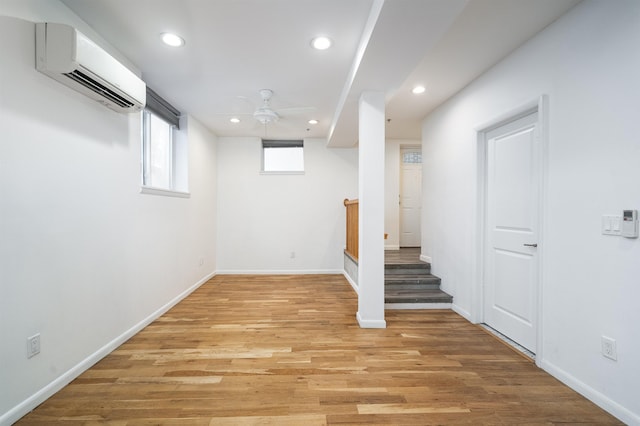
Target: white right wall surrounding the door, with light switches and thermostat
[[588, 64]]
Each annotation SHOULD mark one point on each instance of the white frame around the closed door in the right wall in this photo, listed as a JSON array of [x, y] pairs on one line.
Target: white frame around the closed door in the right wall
[[539, 105]]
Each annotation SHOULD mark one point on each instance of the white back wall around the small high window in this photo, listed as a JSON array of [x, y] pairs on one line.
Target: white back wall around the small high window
[[263, 218]]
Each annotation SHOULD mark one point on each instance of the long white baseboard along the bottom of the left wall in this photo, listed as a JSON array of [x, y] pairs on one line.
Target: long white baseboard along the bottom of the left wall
[[22, 409]]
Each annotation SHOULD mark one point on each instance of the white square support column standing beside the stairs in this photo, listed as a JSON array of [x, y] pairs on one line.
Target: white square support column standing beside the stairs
[[371, 211]]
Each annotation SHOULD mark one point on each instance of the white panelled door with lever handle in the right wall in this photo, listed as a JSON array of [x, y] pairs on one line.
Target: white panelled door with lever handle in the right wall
[[511, 268]]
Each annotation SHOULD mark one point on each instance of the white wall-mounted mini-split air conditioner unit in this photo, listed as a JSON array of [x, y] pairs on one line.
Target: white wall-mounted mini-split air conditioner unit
[[65, 54]]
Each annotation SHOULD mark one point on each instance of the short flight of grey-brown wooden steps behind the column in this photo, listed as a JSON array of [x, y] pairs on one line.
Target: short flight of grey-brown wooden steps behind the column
[[409, 283]]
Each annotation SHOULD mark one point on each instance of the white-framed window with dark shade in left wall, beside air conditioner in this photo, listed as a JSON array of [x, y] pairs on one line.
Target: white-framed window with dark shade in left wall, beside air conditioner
[[164, 159]]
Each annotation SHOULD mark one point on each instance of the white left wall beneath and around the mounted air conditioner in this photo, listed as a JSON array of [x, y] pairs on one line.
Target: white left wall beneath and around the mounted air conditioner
[[85, 259]]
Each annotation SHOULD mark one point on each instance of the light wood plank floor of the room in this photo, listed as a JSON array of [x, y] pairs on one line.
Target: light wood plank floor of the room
[[286, 350]]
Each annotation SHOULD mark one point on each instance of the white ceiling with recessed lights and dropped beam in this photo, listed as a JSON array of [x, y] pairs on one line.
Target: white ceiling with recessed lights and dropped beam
[[234, 48]]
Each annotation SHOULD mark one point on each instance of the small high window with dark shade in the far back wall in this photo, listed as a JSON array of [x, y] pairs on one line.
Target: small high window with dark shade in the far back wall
[[283, 156]]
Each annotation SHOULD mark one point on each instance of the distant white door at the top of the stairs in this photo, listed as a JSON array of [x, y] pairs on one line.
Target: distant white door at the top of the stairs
[[410, 196]]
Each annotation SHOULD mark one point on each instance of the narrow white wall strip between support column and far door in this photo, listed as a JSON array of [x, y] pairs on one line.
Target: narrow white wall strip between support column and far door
[[392, 189]]
